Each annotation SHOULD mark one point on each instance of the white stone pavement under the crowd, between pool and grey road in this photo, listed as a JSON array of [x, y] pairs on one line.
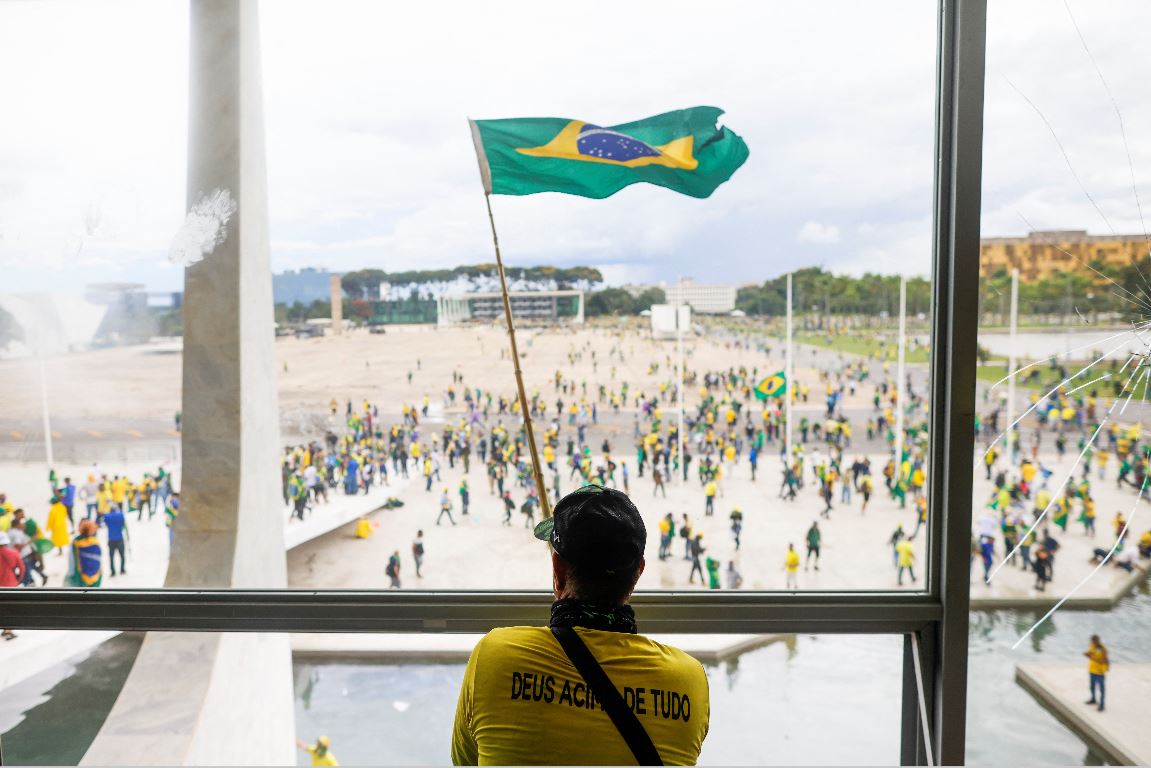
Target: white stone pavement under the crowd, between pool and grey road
[[482, 553]]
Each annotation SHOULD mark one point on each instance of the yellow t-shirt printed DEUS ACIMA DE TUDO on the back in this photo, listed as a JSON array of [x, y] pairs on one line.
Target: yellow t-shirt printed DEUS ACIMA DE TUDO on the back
[[524, 703]]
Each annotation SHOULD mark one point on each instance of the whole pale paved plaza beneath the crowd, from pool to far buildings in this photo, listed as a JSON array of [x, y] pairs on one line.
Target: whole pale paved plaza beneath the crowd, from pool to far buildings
[[481, 552]]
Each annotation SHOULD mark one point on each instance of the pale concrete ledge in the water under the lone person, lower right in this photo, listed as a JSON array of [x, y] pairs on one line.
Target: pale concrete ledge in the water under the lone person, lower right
[[1120, 733]]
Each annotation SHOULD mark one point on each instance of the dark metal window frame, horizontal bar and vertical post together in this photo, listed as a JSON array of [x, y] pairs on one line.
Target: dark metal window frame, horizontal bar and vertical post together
[[939, 617]]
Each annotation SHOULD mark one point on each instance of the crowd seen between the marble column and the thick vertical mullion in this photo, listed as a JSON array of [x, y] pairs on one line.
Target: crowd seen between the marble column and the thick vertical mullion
[[728, 432]]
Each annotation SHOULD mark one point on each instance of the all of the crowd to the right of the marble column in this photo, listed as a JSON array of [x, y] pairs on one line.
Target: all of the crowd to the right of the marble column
[[728, 431]]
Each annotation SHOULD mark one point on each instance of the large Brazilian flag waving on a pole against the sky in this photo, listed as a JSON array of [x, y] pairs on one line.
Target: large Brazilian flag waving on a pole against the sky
[[685, 151]]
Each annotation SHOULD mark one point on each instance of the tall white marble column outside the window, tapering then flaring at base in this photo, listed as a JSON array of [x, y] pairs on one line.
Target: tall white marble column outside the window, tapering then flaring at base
[[205, 698]]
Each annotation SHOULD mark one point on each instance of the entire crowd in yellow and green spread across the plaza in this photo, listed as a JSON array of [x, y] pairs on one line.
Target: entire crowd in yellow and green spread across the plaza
[[834, 465]]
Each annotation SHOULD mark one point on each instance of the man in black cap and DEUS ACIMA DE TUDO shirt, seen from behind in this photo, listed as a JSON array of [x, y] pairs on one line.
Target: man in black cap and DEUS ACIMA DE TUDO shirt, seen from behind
[[588, 690]]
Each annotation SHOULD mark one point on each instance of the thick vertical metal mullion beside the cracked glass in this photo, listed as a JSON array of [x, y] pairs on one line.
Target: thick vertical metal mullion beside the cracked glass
[[959, 145]]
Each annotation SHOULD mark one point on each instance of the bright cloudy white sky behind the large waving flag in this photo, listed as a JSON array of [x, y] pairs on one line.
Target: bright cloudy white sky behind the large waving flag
[[371, 164]]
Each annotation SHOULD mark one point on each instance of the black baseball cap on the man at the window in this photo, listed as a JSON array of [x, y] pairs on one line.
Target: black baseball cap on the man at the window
[[597, 528]]
